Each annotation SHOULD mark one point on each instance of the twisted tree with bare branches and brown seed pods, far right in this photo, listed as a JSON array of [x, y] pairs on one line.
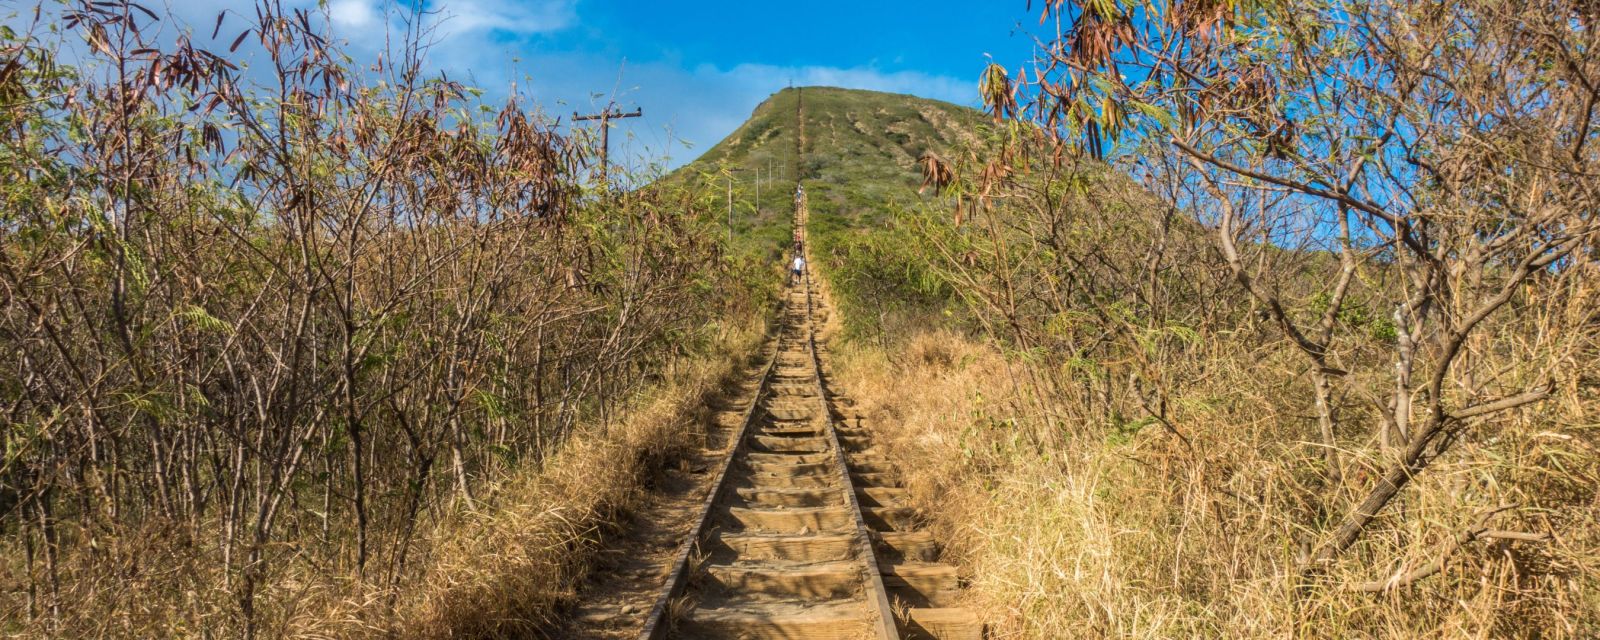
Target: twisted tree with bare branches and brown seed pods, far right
[[1442, 153]]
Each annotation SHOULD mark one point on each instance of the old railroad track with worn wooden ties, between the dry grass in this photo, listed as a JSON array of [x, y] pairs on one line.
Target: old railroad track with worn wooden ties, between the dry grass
[[806, 532]]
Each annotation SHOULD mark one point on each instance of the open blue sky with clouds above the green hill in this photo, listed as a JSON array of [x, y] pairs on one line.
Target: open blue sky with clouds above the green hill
[[697, 68]]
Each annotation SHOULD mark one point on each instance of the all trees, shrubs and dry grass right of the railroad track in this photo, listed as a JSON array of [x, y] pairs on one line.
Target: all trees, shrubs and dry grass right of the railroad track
[[1191, 393]]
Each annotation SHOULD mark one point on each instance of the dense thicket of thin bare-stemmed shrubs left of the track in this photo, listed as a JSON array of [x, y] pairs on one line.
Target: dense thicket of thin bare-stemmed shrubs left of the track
[[273, 319]]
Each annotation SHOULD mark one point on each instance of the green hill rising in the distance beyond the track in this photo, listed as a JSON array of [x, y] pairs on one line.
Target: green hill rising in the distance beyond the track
[[860, 154]]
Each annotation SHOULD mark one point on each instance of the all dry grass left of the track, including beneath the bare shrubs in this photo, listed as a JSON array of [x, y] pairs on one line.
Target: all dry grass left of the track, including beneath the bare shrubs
[[502, 569]]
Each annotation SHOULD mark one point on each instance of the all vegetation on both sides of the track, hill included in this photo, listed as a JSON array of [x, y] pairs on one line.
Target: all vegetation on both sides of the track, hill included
[[1292, 335]]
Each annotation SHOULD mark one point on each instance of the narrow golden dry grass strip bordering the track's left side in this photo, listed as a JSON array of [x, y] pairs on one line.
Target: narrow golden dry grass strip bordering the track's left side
[[506, 570]]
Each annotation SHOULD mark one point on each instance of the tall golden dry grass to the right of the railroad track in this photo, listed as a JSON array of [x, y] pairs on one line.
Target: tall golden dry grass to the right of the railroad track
[[1127, 535]]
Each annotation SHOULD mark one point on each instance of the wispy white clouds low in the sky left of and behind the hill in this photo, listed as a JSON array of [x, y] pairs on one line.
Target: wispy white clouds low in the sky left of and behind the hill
[[487, 42]]
